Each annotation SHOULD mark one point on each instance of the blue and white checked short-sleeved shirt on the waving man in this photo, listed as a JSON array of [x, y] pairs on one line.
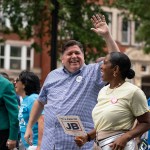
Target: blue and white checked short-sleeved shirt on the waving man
[[65, 94]]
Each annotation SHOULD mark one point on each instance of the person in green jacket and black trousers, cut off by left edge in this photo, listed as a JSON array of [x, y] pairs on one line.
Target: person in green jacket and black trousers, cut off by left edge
[[9, 124]]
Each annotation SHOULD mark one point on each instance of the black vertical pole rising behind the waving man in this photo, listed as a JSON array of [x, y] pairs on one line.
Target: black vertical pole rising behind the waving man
[[54, 35]]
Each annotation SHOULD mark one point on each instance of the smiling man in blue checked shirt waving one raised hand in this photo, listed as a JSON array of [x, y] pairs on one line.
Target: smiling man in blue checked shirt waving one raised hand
[[70, 90]]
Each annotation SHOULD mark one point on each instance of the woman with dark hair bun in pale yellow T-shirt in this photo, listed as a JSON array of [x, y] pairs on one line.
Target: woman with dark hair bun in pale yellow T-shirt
[[120, 104]]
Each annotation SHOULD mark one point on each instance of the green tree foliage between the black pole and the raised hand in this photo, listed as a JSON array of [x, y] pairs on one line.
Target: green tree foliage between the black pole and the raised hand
[[74, 23]]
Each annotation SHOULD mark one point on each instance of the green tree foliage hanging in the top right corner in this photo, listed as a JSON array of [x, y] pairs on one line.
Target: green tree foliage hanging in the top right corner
[[140, 9]]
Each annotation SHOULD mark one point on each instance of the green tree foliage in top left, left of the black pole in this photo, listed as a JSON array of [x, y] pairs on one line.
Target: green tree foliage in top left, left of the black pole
[[23, 15]]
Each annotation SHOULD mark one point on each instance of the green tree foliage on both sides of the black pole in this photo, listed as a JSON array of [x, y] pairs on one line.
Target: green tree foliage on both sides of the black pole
[[74, 22]]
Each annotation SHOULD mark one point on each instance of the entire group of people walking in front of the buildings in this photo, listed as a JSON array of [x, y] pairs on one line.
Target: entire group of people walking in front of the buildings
[[98, 93]]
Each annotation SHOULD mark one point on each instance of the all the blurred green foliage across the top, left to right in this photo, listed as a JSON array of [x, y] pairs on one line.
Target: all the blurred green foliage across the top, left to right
[[73, 21]]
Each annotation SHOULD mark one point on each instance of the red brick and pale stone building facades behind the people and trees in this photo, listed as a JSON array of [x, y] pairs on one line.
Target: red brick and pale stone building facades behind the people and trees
[[15, 54]]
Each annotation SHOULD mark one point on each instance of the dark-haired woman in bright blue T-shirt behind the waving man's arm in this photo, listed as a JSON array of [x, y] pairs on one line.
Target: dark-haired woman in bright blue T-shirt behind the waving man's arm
[[28, 86]]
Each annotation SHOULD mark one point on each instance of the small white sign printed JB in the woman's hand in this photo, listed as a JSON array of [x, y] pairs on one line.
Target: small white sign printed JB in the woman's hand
[[72, 125]]
